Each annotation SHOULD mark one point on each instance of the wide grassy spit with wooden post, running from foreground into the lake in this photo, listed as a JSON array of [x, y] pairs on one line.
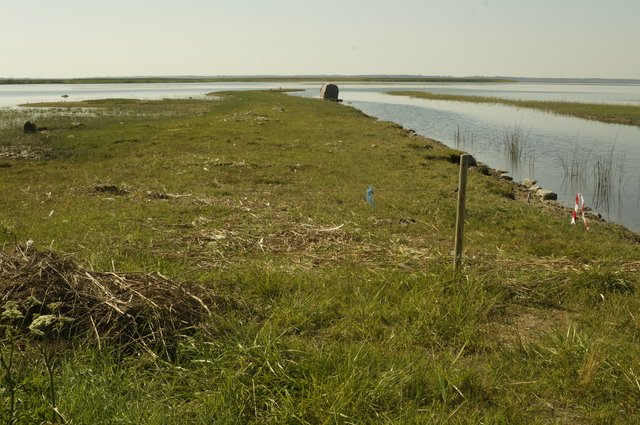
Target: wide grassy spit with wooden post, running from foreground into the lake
[[323, 308]]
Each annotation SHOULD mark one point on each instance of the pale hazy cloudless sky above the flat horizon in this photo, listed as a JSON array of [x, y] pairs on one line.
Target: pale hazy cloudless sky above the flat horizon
[[535, 38]]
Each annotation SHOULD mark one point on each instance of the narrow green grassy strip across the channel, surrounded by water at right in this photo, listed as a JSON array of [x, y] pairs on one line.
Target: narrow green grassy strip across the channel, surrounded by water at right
[[609, 113]]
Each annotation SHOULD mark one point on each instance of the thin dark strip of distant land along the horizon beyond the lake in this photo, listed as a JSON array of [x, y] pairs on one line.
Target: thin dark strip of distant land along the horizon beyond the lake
[[336, 78]]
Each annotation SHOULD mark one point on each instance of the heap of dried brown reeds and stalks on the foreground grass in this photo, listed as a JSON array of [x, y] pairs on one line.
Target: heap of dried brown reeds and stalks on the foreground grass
[[126, 308]]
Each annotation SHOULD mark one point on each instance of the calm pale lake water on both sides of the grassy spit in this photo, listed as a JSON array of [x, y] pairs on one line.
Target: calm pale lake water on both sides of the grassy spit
[[566, 155]]
